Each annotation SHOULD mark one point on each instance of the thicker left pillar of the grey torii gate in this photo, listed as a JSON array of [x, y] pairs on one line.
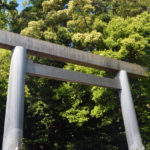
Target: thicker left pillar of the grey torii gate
[[13, 127]]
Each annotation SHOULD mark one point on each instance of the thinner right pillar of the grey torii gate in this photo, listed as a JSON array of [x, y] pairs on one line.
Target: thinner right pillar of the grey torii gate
[[129, 115]]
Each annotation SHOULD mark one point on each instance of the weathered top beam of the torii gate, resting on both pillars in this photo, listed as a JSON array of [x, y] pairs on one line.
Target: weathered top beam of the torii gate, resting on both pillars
[[37, 47]]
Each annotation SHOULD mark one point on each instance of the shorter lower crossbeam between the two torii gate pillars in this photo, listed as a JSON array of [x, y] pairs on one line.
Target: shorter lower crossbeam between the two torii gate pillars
[[39, 70]]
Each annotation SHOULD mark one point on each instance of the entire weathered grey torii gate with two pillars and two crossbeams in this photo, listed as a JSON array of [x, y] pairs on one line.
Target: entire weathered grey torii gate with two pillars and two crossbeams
[[13, 128]]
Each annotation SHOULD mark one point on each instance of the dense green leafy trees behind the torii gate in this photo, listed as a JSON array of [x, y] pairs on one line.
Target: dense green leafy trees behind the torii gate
[[69, 116]]
